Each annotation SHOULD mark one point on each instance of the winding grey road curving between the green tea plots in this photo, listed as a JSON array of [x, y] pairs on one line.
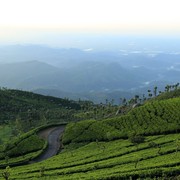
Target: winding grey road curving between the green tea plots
[[52, 135]]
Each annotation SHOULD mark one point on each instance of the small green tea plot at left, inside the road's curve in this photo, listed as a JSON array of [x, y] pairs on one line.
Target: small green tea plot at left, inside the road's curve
[[21, 149]]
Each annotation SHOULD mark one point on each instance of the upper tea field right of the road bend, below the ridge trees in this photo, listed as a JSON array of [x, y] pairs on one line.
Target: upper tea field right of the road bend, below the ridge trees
[[156, 117]]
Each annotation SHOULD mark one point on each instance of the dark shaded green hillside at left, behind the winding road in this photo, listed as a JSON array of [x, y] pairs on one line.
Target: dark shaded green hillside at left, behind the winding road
[[24, 110]]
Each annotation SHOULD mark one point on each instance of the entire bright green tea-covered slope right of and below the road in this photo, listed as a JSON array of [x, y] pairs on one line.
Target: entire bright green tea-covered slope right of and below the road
[[137, 143]]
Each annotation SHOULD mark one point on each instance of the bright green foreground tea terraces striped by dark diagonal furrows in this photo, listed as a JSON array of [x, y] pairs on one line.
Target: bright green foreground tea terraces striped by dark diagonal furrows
[[119, 159]]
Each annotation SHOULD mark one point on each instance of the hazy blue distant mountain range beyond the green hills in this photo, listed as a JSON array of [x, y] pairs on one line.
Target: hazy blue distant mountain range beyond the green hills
[[85, 74]]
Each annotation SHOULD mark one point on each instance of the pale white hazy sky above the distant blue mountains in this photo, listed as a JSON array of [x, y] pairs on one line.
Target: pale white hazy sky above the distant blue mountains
[[33, 21]]
